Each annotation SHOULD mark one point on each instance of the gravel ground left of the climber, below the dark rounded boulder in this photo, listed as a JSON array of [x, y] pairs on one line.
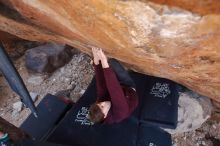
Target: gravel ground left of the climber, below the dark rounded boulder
[[76, 75]]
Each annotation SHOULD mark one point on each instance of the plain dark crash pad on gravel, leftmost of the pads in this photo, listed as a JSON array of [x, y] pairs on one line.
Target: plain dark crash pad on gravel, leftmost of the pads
[[50, 111]]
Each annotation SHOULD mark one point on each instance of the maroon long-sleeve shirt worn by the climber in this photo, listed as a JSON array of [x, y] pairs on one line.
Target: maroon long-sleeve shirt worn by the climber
[[123, 99]]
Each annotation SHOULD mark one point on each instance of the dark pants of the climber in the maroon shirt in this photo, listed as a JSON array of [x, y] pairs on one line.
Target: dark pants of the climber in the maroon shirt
[[122, 74]]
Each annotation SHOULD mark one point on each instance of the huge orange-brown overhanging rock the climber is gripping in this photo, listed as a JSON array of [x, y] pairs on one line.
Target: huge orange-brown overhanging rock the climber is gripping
[[177, 40]]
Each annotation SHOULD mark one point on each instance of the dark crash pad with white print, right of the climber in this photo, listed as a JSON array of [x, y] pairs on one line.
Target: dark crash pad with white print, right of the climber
[[160, 102]]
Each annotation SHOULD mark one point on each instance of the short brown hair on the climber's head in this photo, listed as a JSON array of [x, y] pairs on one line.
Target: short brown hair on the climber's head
[[95, 113]]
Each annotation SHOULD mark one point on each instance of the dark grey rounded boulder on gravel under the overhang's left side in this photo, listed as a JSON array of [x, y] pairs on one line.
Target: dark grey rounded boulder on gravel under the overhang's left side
[[47, 58]]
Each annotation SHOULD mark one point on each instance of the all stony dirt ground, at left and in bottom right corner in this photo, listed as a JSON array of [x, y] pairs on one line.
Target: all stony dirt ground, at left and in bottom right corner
[[76, 75]]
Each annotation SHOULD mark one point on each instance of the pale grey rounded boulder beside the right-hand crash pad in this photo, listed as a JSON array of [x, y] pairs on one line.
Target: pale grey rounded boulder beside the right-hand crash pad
[[193, 111]]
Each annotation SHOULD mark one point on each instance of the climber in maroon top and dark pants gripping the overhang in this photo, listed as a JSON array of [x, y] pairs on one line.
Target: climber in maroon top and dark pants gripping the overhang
[[116, 93]]
